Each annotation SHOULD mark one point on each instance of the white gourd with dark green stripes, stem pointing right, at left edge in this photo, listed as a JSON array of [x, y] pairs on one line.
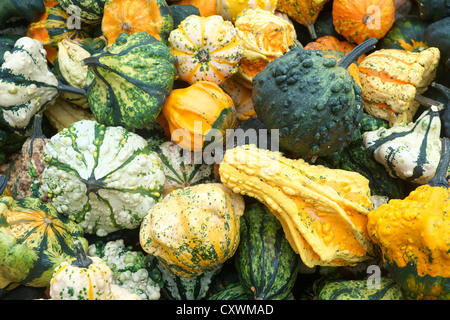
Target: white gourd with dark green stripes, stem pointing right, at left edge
[[26, 85]]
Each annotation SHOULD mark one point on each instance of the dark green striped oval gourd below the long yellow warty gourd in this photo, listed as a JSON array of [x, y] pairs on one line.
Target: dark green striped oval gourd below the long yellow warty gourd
[[266, 263]]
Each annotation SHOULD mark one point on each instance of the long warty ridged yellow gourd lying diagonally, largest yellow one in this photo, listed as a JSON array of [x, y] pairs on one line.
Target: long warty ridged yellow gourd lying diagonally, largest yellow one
[[323, 211]]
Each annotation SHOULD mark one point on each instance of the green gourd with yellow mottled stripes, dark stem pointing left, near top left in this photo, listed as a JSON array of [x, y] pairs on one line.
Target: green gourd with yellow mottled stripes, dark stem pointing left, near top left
[[128, 84]]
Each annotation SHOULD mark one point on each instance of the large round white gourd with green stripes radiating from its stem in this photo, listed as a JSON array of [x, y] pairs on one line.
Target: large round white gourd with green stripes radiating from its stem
[[105, 178]]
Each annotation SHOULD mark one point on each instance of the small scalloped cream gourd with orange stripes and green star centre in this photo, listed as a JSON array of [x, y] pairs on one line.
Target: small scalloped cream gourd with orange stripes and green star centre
[[206, 49]]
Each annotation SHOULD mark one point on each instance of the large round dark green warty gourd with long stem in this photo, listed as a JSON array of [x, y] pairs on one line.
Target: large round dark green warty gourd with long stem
[[311, 99]]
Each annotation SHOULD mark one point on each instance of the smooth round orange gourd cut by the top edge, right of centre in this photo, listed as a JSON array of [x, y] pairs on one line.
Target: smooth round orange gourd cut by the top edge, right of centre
[[358, 21]]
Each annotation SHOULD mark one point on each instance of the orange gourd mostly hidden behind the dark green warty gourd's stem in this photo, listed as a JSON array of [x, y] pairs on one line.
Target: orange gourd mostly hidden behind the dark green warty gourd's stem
[[334, 48]]
